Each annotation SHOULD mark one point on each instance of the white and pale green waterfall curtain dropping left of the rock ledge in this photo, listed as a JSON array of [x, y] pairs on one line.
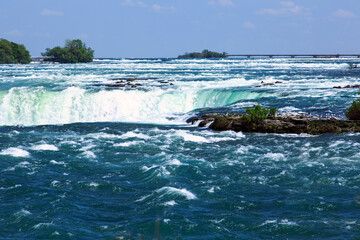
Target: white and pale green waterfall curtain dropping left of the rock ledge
[[38, 106]]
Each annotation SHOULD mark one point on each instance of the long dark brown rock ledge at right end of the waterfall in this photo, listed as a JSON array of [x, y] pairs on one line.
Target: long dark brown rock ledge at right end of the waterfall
[[279, 124]]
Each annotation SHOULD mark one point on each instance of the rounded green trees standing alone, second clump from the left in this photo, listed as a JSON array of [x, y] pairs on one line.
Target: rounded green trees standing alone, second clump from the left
[[75, 51]]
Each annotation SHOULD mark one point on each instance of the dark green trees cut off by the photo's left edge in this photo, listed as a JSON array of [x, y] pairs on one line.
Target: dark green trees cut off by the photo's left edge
[[11, 52]]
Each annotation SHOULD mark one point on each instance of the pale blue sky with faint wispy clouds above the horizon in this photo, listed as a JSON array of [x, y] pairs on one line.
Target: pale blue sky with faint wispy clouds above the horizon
[[167, 28]]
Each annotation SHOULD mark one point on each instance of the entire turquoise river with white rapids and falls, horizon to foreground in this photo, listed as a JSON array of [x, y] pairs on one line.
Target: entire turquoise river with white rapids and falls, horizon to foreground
[[79, 160]]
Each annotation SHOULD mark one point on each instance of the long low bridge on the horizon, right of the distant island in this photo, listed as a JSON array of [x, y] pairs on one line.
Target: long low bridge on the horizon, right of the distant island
[[295, 55]]
